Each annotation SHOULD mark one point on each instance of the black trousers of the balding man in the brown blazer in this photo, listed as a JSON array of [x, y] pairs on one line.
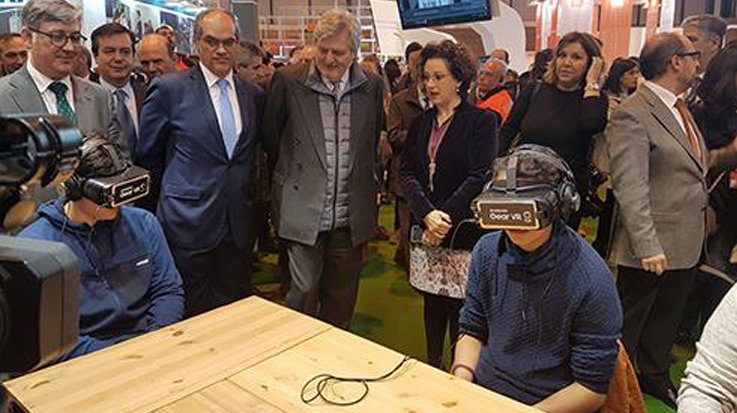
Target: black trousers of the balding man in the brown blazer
[[653, 306]]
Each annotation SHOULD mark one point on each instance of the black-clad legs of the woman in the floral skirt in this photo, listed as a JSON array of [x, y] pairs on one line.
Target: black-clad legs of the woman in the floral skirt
[[441, 313]]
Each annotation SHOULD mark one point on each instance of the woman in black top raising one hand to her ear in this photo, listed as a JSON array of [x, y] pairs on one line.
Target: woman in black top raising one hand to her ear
[[565, 110]]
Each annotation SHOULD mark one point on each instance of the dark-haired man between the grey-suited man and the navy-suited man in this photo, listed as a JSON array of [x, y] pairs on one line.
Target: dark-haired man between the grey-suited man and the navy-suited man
[[112, 47]]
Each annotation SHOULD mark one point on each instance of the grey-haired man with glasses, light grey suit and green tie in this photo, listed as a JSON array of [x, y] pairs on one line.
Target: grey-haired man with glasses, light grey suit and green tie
[[51, 31]]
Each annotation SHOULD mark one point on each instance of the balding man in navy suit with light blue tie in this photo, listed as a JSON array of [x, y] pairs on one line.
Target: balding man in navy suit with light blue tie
[[198, 131]]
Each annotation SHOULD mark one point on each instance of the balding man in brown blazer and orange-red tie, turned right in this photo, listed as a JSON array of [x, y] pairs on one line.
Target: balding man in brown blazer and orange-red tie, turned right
[[658, 165]]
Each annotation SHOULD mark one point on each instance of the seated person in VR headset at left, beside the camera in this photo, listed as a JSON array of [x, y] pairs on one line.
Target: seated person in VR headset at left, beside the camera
[[129, 282]]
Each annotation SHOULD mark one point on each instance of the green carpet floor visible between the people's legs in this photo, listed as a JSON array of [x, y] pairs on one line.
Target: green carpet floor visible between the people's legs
[[389, 311]]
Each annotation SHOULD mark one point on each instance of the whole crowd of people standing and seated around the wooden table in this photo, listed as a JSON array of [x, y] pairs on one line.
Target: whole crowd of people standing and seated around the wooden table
[[237, 147]]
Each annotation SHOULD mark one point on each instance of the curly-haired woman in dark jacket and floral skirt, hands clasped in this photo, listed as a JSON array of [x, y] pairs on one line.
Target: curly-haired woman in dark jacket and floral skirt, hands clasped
[[450, 149]]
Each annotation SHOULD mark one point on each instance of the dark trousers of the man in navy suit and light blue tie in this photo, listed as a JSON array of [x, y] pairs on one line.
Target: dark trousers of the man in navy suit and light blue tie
[[215, 277]]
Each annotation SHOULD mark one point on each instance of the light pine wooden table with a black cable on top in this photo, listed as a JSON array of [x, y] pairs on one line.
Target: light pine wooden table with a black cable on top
[[250, 356]]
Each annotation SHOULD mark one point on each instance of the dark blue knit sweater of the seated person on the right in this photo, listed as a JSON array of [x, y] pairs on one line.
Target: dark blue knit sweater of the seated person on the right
[[545, 319]]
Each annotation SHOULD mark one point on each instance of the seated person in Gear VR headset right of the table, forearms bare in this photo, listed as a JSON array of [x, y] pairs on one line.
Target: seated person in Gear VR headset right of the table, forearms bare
[[541, 317]]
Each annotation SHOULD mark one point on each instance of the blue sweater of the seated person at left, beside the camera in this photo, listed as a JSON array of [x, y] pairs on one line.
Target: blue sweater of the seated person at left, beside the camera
[[129, 284]]
